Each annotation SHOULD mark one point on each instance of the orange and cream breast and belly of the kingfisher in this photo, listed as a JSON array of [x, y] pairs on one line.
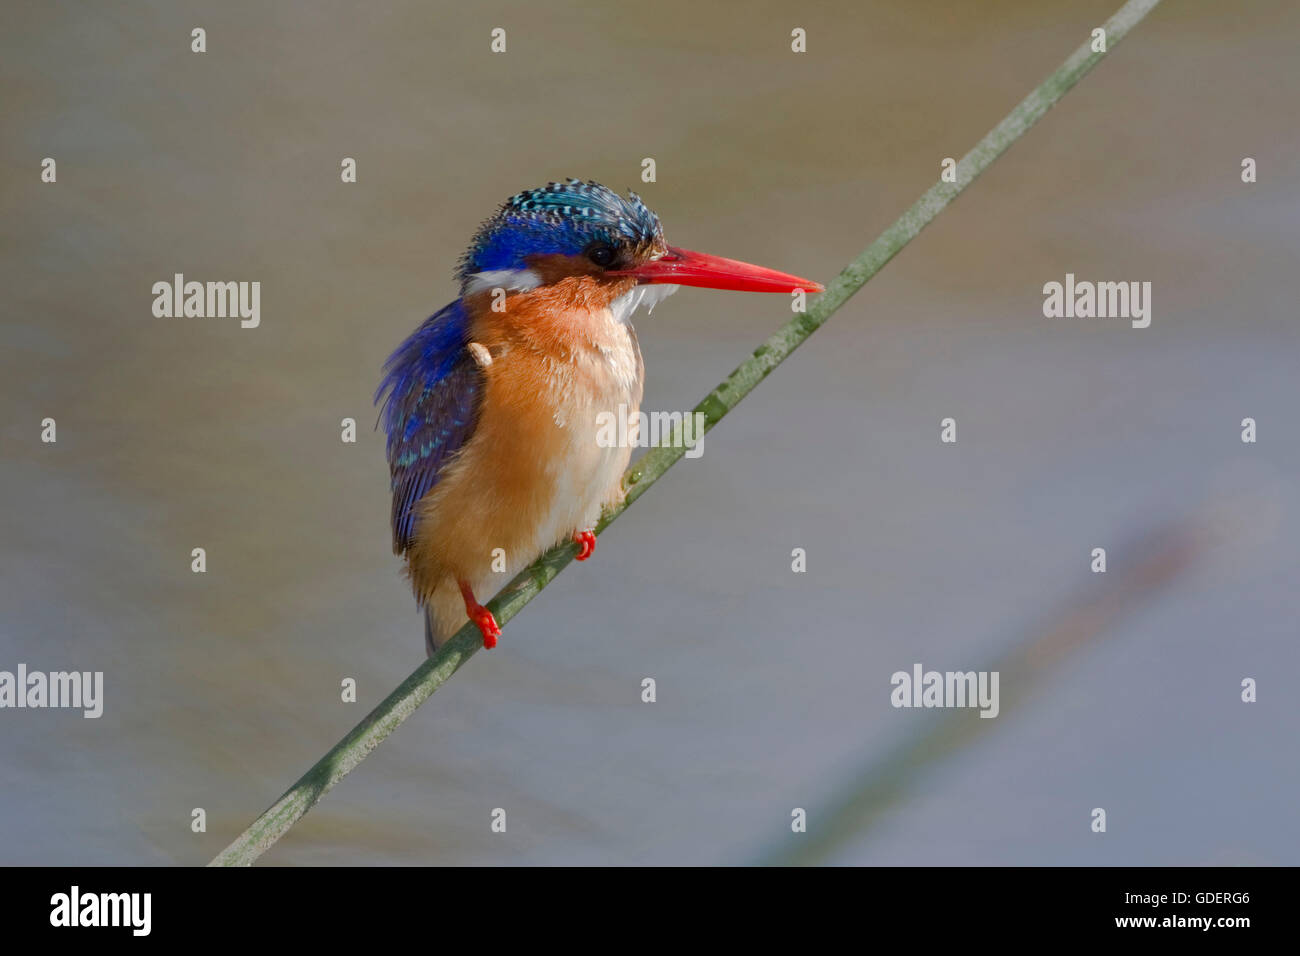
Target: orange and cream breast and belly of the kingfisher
[[535, 470]]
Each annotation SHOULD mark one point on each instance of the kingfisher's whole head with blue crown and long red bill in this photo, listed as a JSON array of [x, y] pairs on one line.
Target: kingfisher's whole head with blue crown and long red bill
[[583, 230]]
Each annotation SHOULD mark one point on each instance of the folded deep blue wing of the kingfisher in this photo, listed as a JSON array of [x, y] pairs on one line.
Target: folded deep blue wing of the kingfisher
[[431, 395]]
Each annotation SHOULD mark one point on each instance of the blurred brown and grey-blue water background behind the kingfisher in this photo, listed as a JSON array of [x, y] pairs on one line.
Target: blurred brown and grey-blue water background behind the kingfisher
[[773, 687]]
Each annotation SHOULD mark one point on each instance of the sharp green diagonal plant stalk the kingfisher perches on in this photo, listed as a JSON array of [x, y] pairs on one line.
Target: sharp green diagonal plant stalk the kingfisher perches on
[[276, 821]]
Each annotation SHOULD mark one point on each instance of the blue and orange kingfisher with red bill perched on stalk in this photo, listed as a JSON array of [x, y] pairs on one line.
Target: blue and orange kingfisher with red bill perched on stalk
[[492, 405]]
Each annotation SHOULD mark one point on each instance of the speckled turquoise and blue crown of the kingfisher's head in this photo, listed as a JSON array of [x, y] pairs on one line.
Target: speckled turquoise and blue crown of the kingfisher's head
[[567, 219]]
